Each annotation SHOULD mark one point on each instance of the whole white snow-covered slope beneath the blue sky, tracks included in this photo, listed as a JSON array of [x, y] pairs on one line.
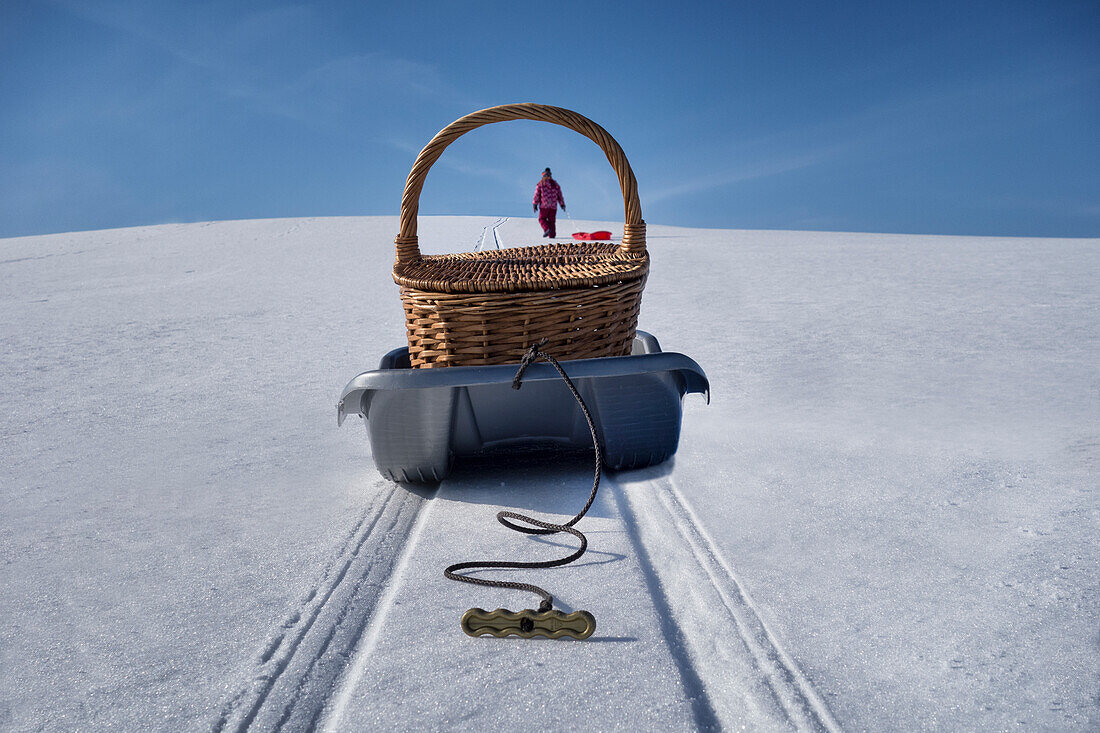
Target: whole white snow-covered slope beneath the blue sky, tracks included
[[886, 519]]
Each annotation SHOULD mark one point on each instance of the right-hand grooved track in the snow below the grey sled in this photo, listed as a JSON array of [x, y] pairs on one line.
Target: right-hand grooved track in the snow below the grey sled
[[751, 682]]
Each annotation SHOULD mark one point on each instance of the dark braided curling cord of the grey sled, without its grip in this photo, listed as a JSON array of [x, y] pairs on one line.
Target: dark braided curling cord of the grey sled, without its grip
[[538, 527]]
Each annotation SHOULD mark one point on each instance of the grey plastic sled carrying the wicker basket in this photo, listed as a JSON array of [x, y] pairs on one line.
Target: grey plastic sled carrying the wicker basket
[[421, 420]]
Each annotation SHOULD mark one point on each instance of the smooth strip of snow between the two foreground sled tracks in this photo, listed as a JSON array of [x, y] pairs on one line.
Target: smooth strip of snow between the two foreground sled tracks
[[491, 680]]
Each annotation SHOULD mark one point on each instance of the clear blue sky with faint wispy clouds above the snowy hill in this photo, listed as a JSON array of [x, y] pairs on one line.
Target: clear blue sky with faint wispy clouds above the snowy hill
[[955, 118]]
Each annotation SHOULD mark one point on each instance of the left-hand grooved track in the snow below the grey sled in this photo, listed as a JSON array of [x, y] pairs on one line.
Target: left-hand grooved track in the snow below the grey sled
[[302, 659]]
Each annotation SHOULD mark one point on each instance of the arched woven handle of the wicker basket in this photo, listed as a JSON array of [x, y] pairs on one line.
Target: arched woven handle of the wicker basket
[[634, 233]]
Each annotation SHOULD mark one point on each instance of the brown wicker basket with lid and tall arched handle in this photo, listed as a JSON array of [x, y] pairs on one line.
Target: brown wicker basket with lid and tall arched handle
[[478, 309]]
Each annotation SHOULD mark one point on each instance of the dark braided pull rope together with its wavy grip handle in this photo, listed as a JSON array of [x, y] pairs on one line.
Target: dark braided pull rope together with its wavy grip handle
[[525, 626]]
